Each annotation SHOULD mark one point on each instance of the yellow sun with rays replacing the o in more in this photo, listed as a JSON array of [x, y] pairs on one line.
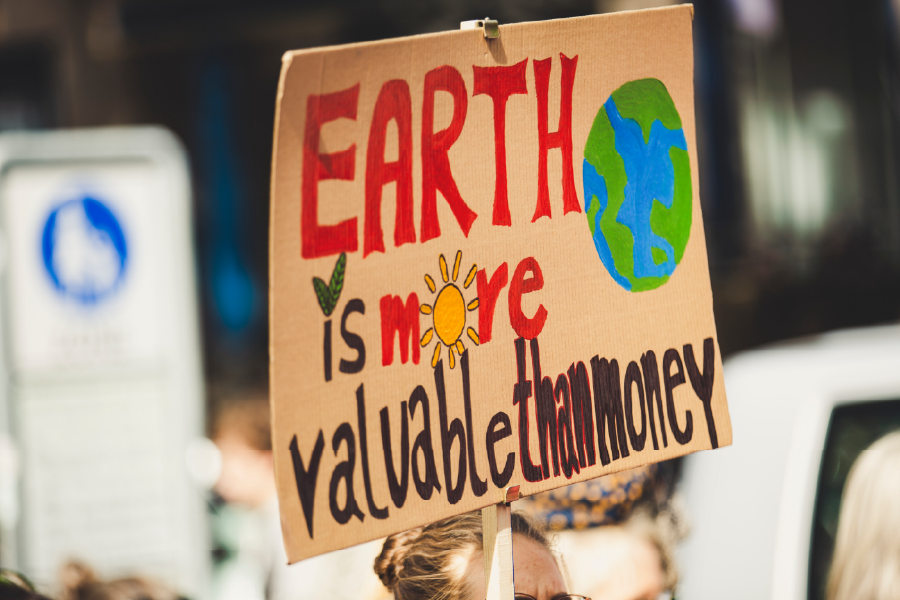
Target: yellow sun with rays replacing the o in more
[[449, 312]]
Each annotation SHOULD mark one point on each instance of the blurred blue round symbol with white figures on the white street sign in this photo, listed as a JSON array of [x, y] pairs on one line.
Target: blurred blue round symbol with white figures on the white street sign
[[84, 250]]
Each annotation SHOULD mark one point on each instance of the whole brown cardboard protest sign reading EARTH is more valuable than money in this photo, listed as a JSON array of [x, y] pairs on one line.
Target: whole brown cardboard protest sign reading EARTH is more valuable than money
[[488, 269]]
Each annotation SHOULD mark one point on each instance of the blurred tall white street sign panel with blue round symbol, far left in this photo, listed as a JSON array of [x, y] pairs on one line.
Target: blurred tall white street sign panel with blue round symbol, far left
[[103, 389]]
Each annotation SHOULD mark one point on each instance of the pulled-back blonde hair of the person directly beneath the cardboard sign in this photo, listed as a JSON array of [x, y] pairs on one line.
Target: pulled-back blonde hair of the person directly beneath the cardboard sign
[[429, 563]]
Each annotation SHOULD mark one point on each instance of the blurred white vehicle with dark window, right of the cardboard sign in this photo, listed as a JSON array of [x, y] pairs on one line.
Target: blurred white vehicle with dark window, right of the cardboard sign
[[764, 511]]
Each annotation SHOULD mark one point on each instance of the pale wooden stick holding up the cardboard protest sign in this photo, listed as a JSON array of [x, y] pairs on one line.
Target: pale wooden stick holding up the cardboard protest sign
[[498, 560]]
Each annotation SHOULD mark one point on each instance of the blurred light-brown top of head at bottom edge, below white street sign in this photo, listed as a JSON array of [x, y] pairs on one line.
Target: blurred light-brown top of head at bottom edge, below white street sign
[[79, 582]]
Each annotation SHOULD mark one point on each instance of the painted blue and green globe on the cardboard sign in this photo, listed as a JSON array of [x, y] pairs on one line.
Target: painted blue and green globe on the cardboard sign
[[637, 185]]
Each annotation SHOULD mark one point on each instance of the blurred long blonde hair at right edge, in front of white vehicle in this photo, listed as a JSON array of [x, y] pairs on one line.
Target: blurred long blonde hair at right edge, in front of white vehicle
[[866, 563]]
